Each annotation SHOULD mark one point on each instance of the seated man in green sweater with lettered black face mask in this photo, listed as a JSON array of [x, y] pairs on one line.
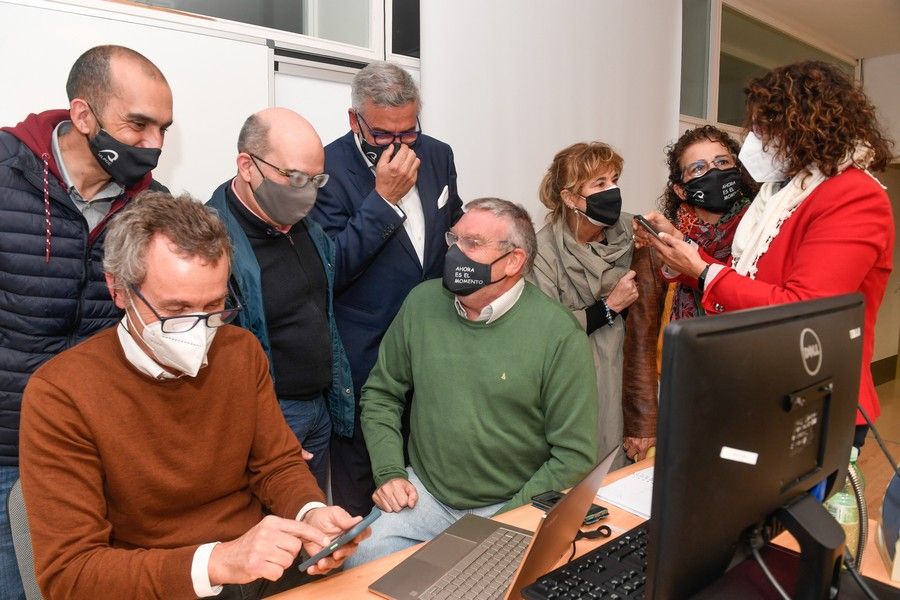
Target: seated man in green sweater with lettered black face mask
[[504, 404]]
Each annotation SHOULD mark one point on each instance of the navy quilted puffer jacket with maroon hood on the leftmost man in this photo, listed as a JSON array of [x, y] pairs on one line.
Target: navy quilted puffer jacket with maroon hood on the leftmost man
[[52, 288]]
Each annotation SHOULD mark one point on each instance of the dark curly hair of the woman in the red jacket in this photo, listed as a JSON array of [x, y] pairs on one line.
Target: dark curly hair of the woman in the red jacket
[[817, 116]]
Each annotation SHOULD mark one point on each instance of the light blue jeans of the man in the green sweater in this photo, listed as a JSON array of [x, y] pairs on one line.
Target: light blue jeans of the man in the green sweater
[[428, 518]]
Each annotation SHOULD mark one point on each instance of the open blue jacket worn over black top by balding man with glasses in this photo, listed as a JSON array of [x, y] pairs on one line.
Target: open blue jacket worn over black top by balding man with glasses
[[245, 273]]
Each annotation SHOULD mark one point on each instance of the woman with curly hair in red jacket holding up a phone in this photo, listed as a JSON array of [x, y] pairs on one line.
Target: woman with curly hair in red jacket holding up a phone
[[821, 224]]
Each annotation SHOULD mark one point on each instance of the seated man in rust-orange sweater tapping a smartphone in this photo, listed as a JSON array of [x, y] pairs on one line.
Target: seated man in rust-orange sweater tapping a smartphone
[[152, 452]]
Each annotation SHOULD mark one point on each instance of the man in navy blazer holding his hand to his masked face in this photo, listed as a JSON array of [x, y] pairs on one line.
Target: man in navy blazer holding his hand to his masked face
[[389, 201]]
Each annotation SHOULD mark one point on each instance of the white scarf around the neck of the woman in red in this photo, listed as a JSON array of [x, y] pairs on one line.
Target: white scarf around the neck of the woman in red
[[771, 208]]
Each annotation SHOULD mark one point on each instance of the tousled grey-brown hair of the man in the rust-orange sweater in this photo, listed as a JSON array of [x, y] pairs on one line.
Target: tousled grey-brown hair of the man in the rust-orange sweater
[[194, 229]]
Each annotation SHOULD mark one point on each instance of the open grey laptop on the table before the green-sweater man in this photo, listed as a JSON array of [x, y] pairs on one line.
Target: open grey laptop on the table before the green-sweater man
[[482, 559]]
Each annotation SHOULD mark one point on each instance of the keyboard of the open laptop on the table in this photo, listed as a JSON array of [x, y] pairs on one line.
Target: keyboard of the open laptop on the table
[[486, 572]]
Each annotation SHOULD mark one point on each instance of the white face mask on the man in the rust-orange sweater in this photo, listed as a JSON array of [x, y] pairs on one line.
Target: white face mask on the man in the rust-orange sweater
[[184, 351]]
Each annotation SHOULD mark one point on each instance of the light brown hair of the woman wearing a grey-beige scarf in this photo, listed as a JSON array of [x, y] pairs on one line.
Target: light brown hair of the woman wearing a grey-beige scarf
[[571, 168]]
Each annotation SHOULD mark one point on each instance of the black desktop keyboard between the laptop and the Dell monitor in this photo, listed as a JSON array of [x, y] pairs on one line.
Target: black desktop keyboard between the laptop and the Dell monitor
[[616, 570]]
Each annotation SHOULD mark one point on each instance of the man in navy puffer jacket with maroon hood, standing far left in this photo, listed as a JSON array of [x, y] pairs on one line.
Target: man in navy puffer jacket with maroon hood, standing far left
[[63, 174]]
